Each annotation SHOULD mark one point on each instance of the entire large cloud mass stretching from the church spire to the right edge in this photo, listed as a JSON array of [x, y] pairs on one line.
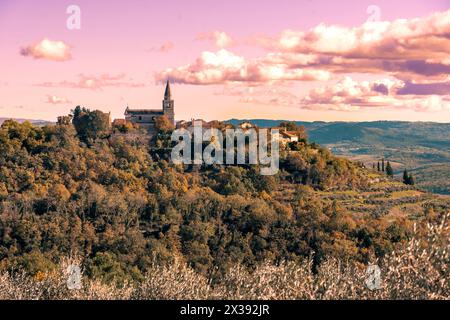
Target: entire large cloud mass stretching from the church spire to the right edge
[[411, 56]]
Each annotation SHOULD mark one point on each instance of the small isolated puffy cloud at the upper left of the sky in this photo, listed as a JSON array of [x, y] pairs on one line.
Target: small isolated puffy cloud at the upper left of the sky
[[48, 49]]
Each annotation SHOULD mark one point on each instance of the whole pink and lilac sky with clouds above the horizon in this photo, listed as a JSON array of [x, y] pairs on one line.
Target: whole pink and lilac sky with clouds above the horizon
[[348, 60]]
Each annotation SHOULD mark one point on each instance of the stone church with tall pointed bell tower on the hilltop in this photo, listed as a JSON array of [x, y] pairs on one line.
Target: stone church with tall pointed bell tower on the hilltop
[[145, 118]]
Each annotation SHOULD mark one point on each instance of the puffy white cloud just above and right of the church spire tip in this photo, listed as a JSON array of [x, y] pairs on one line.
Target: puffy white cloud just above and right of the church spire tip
[[223, 67]]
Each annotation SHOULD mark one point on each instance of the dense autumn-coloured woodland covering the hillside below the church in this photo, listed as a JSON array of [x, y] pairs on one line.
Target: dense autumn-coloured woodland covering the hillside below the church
[[81, 189]]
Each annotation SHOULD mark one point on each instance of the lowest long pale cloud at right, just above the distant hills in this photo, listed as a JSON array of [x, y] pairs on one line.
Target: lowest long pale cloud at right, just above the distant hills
[[345, 95]]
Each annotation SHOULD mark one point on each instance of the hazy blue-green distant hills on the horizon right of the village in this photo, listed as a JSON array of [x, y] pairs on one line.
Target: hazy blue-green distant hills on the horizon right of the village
[[422, 147]]
